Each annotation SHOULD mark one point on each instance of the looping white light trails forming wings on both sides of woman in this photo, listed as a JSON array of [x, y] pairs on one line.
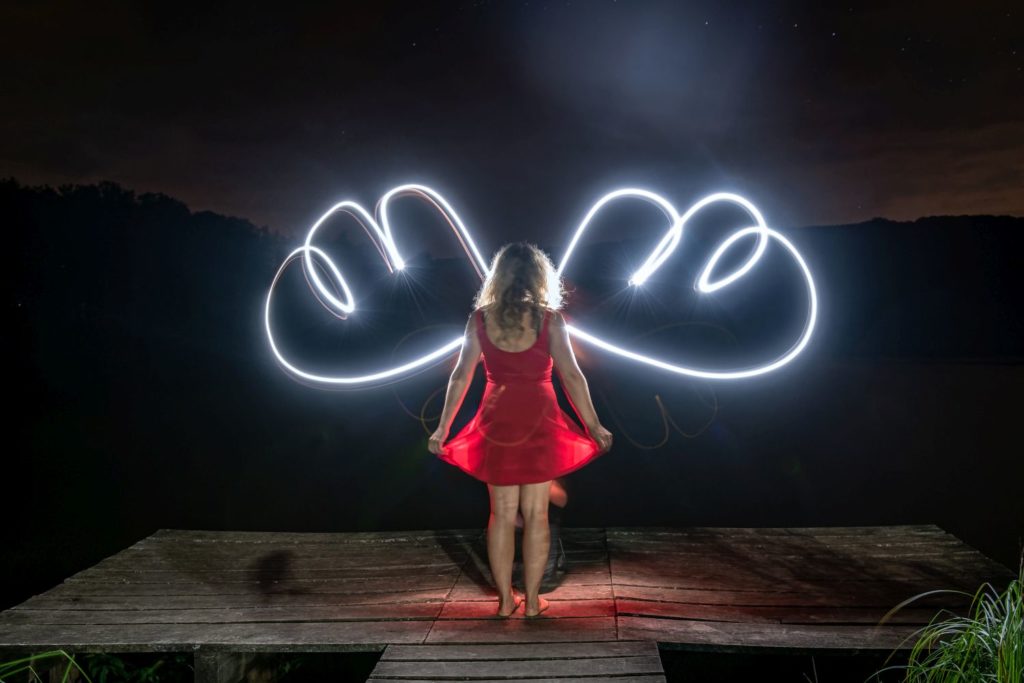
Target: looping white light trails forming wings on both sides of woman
[[380, 232]]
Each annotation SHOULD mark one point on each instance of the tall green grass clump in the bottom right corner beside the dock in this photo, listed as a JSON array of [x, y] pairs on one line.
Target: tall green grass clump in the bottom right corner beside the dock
[[986, 647]]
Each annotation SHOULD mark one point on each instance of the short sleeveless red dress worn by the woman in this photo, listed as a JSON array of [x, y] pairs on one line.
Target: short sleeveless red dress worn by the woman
[[520, 435]]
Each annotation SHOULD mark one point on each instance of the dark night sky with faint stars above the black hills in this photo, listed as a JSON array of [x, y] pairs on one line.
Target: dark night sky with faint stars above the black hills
[[524, 113]]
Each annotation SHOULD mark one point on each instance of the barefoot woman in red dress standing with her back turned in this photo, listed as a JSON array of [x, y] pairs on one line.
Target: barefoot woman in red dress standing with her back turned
[[521, 440]]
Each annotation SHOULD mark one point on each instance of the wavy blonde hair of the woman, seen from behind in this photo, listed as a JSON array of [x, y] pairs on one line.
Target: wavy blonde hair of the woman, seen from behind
[[523, 279]]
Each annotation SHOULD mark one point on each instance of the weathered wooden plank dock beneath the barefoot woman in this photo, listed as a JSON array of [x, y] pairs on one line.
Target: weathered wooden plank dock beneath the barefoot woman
[[425, 596]]
